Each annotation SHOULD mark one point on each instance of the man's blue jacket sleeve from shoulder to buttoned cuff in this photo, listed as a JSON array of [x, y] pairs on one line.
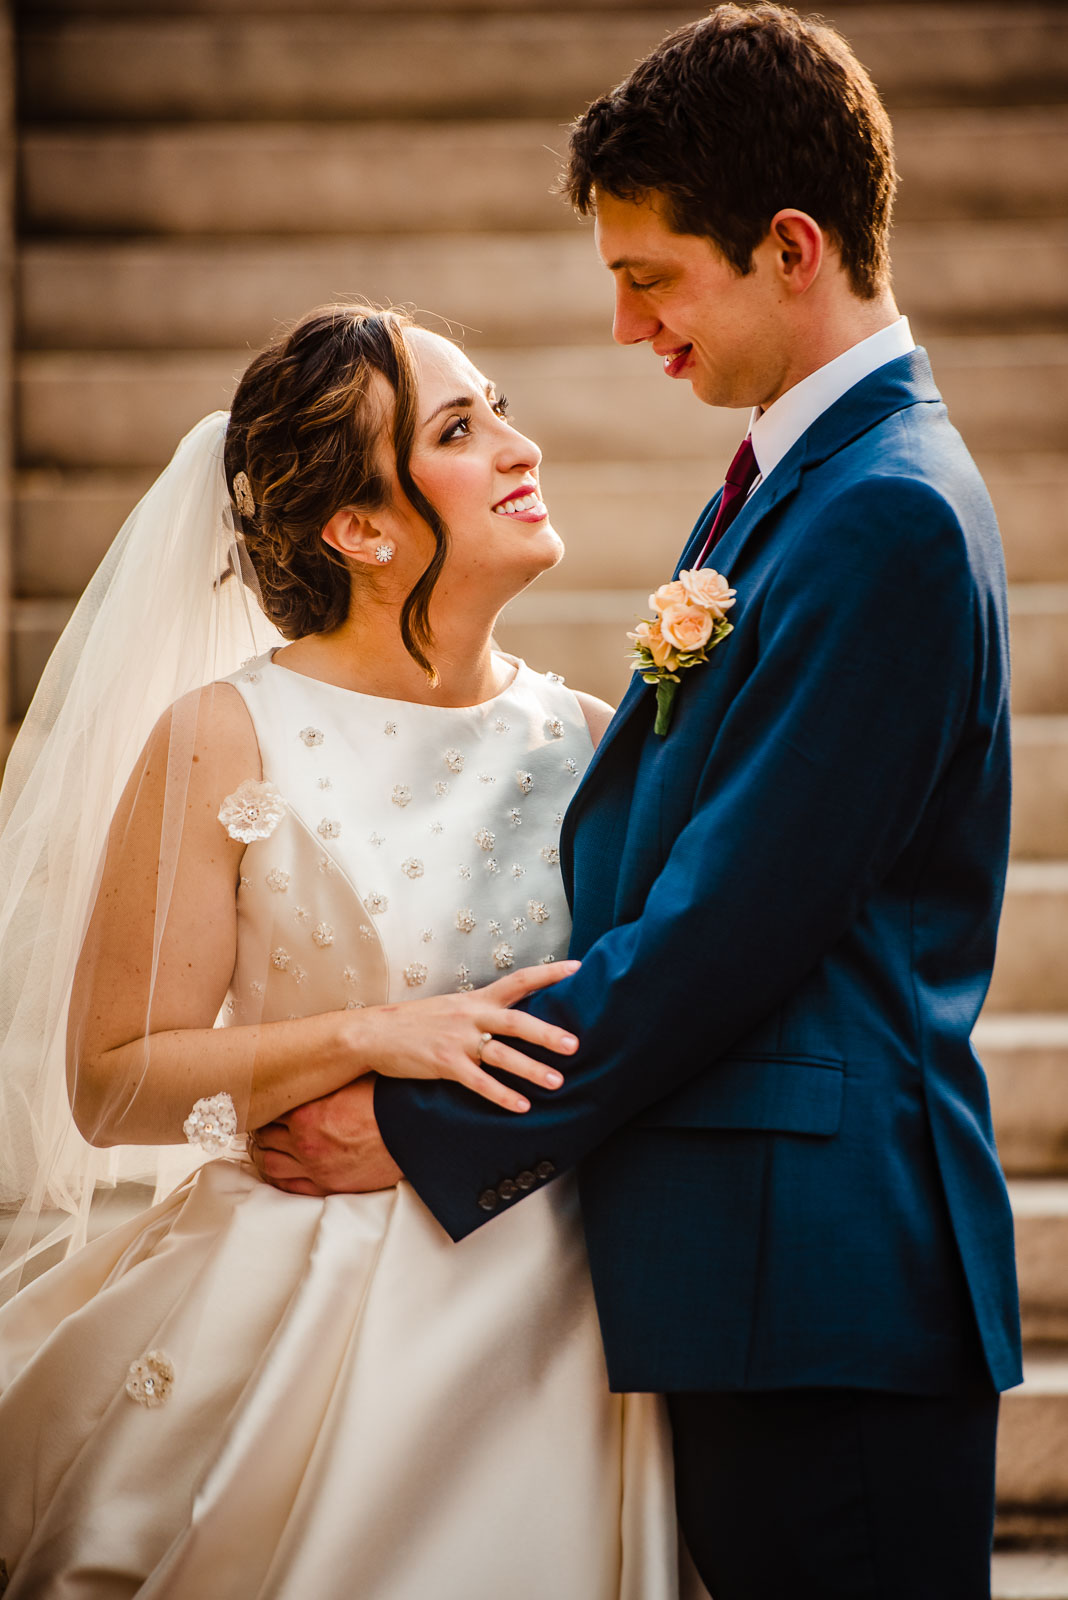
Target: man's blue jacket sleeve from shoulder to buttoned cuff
[[816, 780]]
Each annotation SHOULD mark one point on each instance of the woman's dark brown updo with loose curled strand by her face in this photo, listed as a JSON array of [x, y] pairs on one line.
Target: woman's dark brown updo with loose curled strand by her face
[[308, 430]]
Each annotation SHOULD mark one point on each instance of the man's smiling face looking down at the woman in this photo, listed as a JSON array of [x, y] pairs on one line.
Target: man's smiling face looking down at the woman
[[679, 294]]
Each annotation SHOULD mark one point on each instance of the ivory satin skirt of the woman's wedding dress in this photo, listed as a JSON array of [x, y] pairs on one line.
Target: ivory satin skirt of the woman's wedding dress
[[359, 1410]]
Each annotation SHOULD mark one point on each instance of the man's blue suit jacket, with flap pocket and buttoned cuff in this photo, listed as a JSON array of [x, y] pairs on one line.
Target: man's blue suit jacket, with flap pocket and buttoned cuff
[[786, 913]]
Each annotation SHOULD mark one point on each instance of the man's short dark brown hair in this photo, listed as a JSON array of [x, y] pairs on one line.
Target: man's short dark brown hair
[[736, 116]]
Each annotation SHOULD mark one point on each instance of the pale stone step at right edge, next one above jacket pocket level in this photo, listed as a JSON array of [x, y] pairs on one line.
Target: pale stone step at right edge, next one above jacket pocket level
[[1032, 966]]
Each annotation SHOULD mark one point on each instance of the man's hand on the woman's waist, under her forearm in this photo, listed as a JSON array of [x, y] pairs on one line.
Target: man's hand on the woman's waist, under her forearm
[[325, 1148]]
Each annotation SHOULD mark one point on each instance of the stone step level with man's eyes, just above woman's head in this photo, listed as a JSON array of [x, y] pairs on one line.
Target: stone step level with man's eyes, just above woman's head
[[509, 289]]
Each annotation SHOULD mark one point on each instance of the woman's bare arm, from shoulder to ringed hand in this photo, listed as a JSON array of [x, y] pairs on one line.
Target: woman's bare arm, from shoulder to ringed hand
[[141, 1044]]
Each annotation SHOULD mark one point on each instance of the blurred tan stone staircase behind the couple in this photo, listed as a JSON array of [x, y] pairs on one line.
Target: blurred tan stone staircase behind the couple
[[196, 172]]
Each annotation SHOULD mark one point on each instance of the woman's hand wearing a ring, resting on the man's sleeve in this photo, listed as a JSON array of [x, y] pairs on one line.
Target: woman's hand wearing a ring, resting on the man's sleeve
[[452, 1036]]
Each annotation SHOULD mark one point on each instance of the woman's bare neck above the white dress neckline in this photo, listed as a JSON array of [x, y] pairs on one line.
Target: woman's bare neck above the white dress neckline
[[367, 654]]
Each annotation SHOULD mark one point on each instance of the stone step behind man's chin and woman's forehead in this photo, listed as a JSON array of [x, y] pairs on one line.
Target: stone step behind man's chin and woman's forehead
[[581, 402]]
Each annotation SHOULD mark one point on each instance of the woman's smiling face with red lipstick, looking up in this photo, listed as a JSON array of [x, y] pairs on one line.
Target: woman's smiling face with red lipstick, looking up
[[480, 474]]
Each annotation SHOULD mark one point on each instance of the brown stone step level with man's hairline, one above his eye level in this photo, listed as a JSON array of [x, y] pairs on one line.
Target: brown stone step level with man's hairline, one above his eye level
[[367, 178]]
